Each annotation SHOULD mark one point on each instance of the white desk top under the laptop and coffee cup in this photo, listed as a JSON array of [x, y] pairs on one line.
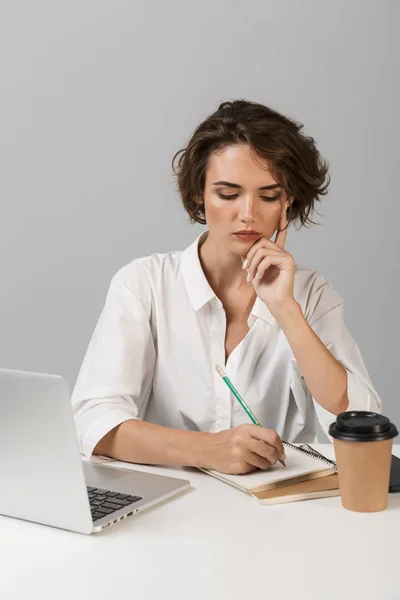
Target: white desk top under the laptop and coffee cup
[[212, 542]]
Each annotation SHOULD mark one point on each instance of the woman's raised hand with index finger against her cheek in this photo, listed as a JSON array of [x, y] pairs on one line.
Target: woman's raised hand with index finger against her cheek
[[271, 268]]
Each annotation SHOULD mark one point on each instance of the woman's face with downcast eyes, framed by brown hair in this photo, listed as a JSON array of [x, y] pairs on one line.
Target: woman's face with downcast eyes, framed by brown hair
[[241, 194]]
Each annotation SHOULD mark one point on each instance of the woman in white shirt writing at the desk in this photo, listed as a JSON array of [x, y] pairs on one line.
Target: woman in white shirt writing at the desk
[[148, 391]]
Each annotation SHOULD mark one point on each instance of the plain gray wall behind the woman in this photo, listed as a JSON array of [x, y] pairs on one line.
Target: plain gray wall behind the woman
[[96, 96]]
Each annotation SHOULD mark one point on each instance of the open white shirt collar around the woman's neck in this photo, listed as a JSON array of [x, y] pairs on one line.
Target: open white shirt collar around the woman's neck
[[200, 291]]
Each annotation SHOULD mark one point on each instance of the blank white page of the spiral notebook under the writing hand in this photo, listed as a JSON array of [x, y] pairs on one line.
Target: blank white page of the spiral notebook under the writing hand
[[297, 464]]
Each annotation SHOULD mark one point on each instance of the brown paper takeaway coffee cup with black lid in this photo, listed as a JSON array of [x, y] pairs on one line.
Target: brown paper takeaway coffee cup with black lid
[[363, 449]]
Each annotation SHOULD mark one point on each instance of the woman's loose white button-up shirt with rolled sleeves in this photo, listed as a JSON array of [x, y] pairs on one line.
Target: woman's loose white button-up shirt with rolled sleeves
[[153, 353]]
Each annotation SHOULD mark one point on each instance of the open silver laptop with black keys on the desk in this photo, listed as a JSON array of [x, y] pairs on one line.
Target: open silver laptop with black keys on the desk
[[42, 476]]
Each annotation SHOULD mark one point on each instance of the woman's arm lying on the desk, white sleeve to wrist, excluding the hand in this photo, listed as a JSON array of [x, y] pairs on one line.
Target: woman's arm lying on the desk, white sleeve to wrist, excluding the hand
[[114, 385]]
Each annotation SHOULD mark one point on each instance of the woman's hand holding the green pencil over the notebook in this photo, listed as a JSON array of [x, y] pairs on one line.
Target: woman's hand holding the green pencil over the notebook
[[242, 449]]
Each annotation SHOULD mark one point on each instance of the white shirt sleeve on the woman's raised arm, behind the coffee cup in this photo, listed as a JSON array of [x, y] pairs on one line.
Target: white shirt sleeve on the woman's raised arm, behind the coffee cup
[[327, 320]]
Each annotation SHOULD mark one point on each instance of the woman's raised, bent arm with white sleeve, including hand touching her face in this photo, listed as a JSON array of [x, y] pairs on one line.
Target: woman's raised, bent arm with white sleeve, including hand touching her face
[[328, 357]]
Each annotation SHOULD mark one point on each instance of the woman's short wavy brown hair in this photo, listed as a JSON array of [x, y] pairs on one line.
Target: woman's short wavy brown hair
[[296, 163]]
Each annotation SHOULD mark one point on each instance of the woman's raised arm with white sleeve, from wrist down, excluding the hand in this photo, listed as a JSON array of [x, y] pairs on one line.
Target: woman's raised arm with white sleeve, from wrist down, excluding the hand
[[324, 320]]
